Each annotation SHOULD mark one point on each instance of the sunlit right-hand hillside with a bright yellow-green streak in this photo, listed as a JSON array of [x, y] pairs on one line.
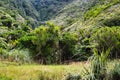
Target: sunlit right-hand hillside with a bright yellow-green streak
[[88, 13]]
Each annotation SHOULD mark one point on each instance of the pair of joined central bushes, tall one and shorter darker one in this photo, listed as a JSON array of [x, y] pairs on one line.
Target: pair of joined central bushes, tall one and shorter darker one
[[52, 46]]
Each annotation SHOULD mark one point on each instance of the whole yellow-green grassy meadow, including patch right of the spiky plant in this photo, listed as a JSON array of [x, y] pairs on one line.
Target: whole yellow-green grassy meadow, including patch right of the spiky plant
[[15, 71]]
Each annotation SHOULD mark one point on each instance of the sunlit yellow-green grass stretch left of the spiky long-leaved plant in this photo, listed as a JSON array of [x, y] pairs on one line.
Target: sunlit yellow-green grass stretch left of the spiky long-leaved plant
[[39, 72]]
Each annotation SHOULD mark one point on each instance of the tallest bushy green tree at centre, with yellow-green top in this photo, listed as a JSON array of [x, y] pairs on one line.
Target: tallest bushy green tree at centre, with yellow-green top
[[47, 39]]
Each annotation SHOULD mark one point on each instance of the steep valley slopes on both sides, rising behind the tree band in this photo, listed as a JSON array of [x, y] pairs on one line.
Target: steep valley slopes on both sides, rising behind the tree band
[[66, 13]]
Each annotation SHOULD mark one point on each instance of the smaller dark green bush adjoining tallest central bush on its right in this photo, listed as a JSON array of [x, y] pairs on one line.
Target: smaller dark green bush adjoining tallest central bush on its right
[[68, 44]]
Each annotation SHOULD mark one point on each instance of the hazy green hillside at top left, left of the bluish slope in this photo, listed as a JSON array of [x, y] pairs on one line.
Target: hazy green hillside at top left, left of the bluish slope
[[20, 9]]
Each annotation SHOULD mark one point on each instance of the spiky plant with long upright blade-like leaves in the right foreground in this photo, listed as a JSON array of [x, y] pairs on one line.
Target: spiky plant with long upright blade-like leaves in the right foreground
[[99, 64]]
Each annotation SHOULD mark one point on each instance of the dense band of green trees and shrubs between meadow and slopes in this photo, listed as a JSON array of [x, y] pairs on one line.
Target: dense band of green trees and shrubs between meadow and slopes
[[49, 44]]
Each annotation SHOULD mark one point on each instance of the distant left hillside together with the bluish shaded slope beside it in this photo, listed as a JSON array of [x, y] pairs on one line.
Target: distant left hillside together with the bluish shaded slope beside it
[[35, 11]]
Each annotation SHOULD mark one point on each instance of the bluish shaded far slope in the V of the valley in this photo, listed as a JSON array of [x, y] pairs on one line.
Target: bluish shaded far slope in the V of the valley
[[48, 9]]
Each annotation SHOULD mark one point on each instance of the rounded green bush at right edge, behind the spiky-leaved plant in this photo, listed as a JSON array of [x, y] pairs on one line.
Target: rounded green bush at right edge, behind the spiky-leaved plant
[[107, 37]]
